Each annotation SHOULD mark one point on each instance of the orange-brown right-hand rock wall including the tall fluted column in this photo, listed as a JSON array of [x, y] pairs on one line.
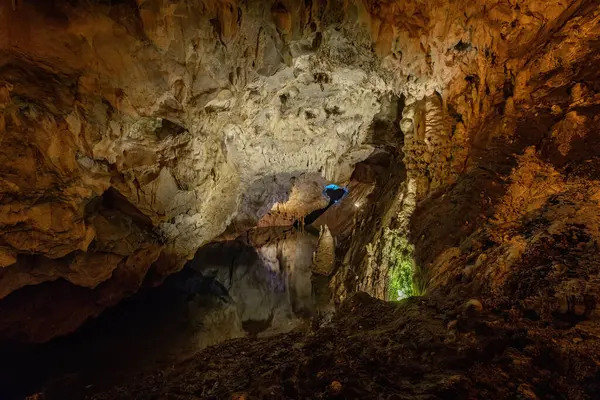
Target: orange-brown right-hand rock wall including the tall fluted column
[[499, 99]]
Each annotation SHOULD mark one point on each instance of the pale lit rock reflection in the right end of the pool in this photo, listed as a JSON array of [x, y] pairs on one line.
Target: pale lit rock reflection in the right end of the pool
[[268, 287]]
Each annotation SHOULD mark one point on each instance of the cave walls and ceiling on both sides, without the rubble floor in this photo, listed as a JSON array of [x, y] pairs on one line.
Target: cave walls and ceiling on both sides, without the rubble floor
[[152, 125]]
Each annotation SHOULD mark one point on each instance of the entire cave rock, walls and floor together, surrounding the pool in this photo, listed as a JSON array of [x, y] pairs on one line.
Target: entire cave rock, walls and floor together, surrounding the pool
[[135, 132]]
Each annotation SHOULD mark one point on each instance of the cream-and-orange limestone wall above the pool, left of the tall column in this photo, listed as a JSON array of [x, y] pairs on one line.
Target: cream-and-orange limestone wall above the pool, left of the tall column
[[181, 118]]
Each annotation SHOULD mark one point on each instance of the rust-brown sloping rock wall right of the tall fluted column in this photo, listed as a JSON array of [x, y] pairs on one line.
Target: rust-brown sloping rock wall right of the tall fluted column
[[521, 163]]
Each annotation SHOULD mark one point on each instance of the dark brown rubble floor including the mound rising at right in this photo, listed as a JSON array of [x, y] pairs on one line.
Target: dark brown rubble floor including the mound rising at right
[[444, 345]]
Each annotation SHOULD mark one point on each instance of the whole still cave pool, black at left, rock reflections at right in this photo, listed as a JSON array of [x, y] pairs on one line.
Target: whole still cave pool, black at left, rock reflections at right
[[231, 289]]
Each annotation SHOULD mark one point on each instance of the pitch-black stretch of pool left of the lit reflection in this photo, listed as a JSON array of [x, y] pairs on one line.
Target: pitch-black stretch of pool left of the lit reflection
[[138, 333]]
